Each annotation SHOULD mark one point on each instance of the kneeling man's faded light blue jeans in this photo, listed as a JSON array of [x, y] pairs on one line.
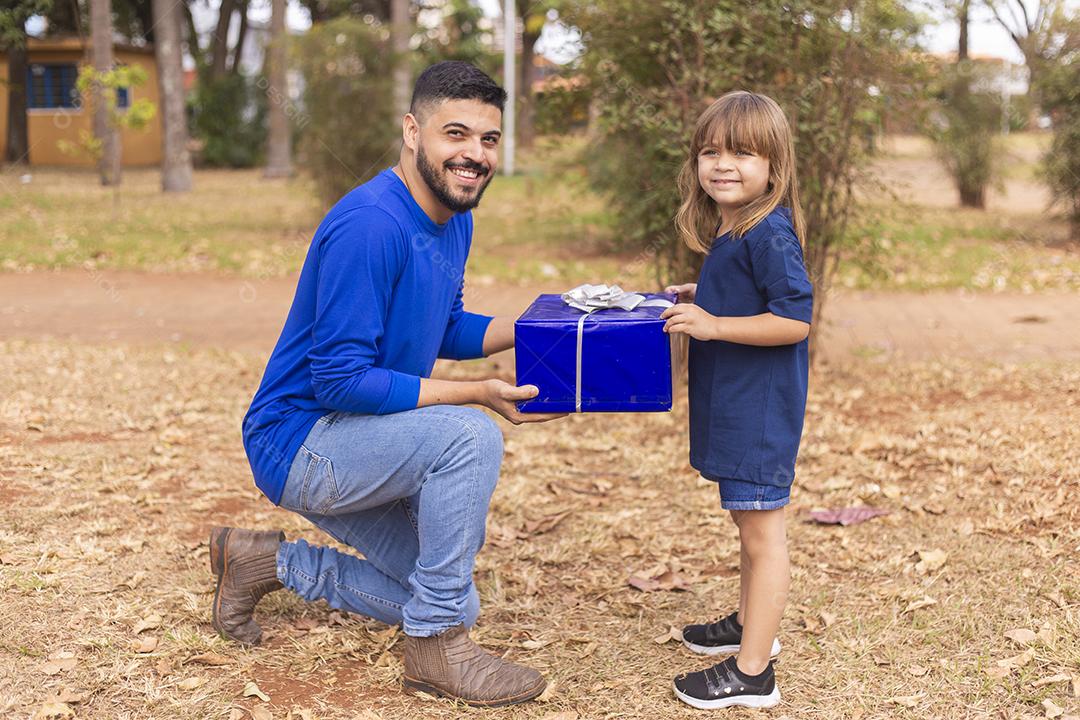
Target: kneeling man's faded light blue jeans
[[411, 492]]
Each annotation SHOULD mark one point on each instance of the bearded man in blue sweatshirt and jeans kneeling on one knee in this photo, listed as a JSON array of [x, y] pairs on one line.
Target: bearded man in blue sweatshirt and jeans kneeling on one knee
[[348, 429]]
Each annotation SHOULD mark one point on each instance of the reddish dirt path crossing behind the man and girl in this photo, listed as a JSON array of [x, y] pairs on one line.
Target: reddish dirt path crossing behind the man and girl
[[248, 316]]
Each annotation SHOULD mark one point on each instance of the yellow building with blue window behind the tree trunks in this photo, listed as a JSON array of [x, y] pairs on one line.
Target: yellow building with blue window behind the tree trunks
[[57, 112]]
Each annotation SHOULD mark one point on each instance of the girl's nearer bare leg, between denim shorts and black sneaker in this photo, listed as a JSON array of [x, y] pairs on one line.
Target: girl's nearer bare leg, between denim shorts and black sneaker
[[765, 579]]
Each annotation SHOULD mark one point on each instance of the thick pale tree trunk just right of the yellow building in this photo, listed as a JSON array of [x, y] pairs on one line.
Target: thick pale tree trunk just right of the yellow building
[[177, 160]]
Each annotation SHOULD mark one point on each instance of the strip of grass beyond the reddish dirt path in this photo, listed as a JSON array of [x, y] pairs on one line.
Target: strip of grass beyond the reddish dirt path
[[545, 224]]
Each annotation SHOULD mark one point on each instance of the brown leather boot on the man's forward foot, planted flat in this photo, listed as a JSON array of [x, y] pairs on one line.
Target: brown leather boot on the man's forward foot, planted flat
[[452, 665]]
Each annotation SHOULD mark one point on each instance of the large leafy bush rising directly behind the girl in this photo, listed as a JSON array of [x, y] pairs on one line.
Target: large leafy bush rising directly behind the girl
[[833, 65]]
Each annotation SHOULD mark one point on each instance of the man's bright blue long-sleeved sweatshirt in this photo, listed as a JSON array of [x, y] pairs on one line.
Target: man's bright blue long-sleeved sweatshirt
[[379, 301]]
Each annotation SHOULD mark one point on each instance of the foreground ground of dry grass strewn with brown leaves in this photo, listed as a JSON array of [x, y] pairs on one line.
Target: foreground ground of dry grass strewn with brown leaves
[[963, 603]]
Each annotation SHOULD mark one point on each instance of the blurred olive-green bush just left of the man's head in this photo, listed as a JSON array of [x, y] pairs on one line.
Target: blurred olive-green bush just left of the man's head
[[350, 131]]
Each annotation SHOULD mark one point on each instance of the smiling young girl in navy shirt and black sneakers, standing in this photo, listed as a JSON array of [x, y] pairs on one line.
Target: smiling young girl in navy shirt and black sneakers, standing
[[748, 318]]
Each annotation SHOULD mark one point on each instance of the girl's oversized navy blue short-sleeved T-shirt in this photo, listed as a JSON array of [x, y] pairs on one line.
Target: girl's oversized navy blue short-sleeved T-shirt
[[747, 402]]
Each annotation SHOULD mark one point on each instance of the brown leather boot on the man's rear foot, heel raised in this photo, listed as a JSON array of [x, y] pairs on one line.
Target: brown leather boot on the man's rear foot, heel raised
[[246, 564]]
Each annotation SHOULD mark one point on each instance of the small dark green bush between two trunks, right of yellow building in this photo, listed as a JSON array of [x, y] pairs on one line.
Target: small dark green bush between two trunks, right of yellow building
[[229, 120]]
